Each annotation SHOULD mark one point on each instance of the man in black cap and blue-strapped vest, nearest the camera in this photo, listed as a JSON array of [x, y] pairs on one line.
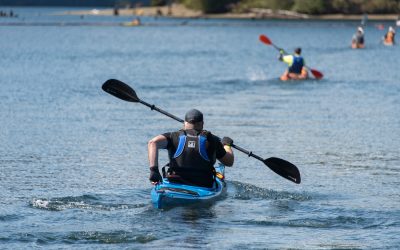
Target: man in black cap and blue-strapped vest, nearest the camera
[[192, 153]]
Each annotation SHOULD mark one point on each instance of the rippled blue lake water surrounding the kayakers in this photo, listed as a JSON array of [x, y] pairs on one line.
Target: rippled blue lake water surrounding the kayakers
[[73, 159]]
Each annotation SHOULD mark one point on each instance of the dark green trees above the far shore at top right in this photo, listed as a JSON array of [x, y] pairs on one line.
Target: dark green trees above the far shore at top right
[[313, 7]]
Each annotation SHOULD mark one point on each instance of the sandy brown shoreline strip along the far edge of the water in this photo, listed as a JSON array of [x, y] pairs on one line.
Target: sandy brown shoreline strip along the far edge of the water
[[179, 11]]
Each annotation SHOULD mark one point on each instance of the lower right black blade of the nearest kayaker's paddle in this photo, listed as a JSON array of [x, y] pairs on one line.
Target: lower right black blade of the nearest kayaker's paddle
[[283, 168]]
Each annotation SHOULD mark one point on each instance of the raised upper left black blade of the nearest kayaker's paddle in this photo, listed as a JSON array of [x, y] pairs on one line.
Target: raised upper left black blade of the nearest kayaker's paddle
[[120, 90]]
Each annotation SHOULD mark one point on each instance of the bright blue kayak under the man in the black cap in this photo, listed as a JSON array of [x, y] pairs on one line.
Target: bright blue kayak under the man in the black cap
[[167, 194]]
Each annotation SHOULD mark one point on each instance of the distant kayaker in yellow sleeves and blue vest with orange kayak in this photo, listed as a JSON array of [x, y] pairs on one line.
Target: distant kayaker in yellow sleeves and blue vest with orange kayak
[[296, 63]]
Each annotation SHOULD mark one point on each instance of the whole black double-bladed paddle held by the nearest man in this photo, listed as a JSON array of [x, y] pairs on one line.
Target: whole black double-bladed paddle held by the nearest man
[[125, 92]]
